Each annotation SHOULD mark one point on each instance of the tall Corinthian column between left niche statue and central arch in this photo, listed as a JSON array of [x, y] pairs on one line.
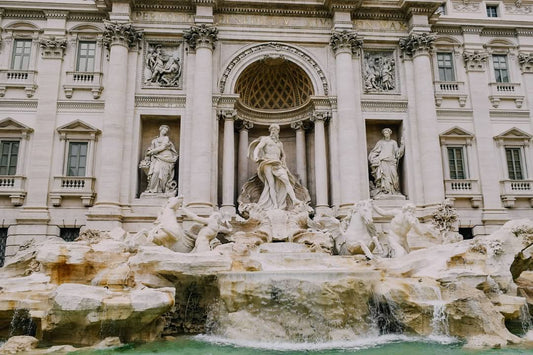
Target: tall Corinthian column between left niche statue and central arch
[[202, 39]]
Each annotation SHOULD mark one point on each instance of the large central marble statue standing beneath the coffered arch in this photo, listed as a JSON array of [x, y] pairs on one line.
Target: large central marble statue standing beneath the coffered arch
[[273, 187]]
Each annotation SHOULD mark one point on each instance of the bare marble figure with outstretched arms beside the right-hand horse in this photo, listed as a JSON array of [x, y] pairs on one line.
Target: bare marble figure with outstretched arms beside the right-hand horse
[[403, 222]]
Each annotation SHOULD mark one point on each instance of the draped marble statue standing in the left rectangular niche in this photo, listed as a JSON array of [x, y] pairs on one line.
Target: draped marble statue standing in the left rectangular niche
[[158, 164]]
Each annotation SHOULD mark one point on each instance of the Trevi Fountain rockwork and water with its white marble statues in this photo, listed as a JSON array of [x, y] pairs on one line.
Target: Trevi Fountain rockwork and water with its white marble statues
[[278, 276]]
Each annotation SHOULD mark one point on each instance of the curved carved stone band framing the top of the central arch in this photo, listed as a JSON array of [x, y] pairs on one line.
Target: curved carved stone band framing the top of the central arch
[[279, 47]]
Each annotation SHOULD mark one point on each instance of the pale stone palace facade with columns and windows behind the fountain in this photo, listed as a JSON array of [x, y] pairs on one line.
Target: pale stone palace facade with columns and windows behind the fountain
[[86, 86]]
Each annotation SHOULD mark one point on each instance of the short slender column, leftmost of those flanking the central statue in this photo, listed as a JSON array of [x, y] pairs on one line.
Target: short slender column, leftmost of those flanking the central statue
[[228, 161]]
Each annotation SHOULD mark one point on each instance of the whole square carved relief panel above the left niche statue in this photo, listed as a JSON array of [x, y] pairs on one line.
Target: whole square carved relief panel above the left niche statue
[[162, 66]]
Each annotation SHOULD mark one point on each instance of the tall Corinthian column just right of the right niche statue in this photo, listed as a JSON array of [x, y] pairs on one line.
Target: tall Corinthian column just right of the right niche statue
[[418, 46]]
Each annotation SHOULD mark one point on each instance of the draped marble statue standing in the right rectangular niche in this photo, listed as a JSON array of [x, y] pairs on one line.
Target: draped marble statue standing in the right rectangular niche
[[384, 158]]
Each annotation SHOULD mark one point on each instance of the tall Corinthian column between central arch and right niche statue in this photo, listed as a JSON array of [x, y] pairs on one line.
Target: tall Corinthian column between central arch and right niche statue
[[345, 45]]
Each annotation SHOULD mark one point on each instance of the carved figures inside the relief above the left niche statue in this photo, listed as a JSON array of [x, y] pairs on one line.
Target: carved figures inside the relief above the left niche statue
[[162, 69]]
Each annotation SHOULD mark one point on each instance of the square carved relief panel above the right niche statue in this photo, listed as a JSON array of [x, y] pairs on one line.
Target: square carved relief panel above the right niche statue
[[379, 72]]
